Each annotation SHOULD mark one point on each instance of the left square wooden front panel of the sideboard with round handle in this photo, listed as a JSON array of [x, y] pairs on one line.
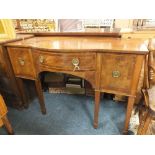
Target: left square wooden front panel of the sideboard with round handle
[[22, 62]]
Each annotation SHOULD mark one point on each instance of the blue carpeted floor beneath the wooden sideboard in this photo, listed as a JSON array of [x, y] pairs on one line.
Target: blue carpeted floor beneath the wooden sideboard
[[68, 115]]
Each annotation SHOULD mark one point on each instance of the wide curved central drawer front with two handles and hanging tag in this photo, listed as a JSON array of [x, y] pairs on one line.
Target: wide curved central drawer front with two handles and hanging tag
[[66, 61]]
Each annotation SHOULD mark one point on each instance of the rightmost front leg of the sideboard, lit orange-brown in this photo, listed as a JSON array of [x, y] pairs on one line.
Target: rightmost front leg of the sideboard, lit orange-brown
[[131, 101]]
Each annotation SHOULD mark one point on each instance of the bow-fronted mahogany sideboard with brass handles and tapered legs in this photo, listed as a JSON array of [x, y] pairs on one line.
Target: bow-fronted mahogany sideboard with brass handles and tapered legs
[[111, 65]]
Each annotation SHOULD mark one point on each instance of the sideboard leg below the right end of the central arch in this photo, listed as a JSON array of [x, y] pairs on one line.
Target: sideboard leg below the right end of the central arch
[[96, 109]]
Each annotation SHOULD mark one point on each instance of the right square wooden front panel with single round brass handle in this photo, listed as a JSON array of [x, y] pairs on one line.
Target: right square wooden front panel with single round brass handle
[[117, 72]]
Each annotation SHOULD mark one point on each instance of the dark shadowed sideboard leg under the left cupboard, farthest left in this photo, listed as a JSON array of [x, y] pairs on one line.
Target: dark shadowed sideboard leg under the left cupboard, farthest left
[[22, 92]]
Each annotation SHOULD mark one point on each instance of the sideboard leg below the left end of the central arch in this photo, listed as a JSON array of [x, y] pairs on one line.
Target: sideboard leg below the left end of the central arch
[[40, 96]]
